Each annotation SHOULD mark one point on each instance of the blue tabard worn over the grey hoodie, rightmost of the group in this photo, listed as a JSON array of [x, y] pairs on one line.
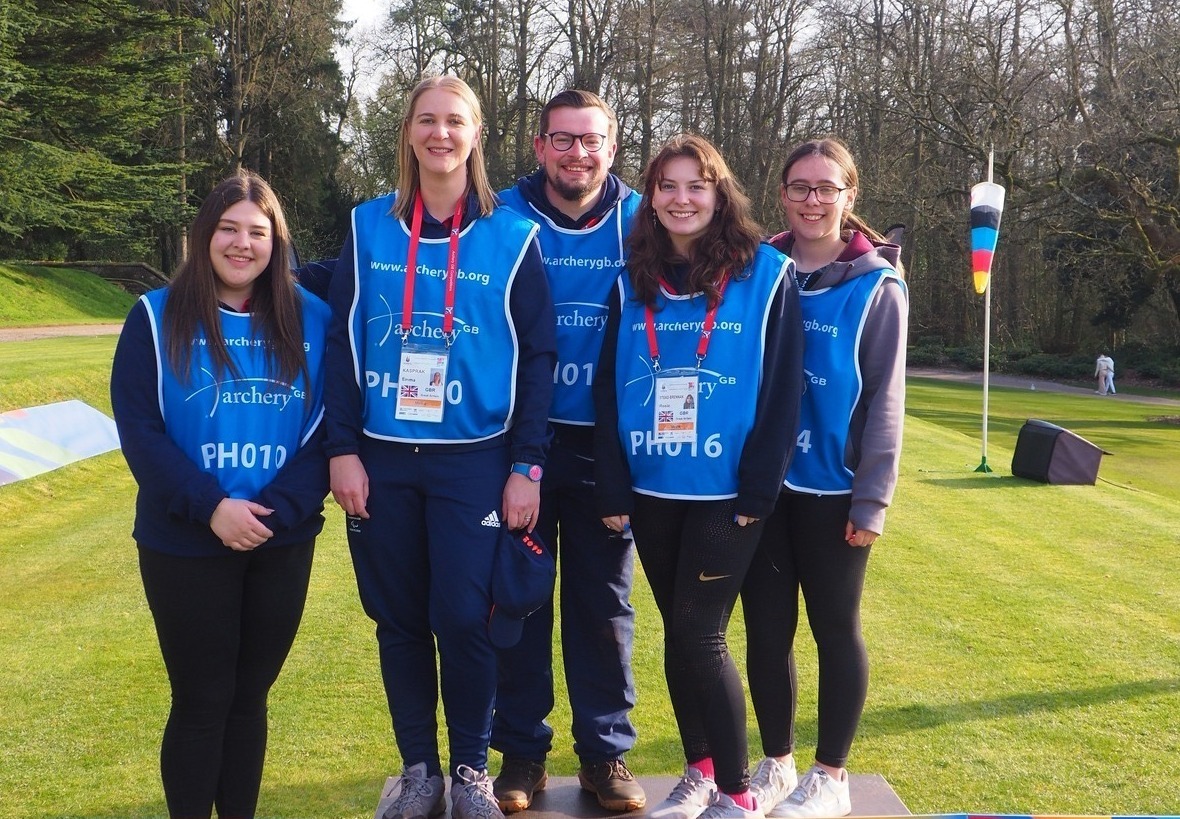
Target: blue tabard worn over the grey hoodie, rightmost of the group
[[834, 319]]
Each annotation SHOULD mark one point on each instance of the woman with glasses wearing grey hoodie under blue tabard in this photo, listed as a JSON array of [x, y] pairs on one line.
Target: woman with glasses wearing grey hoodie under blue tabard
[[842, 480]]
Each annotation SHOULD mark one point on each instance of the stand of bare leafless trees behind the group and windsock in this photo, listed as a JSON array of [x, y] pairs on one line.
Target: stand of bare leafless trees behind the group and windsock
[[1080, 100]]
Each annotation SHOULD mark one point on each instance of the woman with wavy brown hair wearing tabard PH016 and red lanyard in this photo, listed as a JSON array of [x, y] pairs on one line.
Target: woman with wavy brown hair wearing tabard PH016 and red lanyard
[[697, 399]]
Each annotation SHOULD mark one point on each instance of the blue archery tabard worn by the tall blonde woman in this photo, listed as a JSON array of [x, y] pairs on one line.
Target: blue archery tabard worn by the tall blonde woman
[[481, 390]]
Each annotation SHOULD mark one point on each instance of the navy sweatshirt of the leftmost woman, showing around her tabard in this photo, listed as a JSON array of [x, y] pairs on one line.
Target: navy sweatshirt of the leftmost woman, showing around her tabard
[[176, 499]]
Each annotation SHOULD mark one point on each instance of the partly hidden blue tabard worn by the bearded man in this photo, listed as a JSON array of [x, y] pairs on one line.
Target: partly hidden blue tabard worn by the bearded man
[[582, 267]]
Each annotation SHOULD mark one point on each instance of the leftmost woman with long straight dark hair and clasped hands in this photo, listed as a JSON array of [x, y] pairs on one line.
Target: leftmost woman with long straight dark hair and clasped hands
[[218, 394]]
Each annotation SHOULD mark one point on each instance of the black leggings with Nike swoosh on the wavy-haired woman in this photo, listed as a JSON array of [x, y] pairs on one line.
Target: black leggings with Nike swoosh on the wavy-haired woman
[[696, 558]]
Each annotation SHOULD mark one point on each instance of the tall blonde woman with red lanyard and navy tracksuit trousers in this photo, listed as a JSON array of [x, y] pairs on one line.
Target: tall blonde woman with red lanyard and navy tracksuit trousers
[[437, 279]]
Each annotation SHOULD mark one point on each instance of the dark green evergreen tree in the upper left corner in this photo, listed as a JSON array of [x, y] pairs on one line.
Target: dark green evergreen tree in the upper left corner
[[78, 172]]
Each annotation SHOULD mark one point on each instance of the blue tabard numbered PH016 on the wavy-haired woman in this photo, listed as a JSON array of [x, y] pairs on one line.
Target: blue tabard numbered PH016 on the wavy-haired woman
[[730, 382]]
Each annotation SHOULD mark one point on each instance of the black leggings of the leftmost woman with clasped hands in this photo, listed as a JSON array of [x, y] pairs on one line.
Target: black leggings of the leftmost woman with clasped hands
[[226, 626]]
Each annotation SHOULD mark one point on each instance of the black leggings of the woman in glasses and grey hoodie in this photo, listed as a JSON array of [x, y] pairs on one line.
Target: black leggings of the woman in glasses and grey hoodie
[[804, 548]]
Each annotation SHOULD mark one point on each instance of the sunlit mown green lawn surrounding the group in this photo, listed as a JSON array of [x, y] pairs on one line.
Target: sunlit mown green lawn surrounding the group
[[1025, 638]]
